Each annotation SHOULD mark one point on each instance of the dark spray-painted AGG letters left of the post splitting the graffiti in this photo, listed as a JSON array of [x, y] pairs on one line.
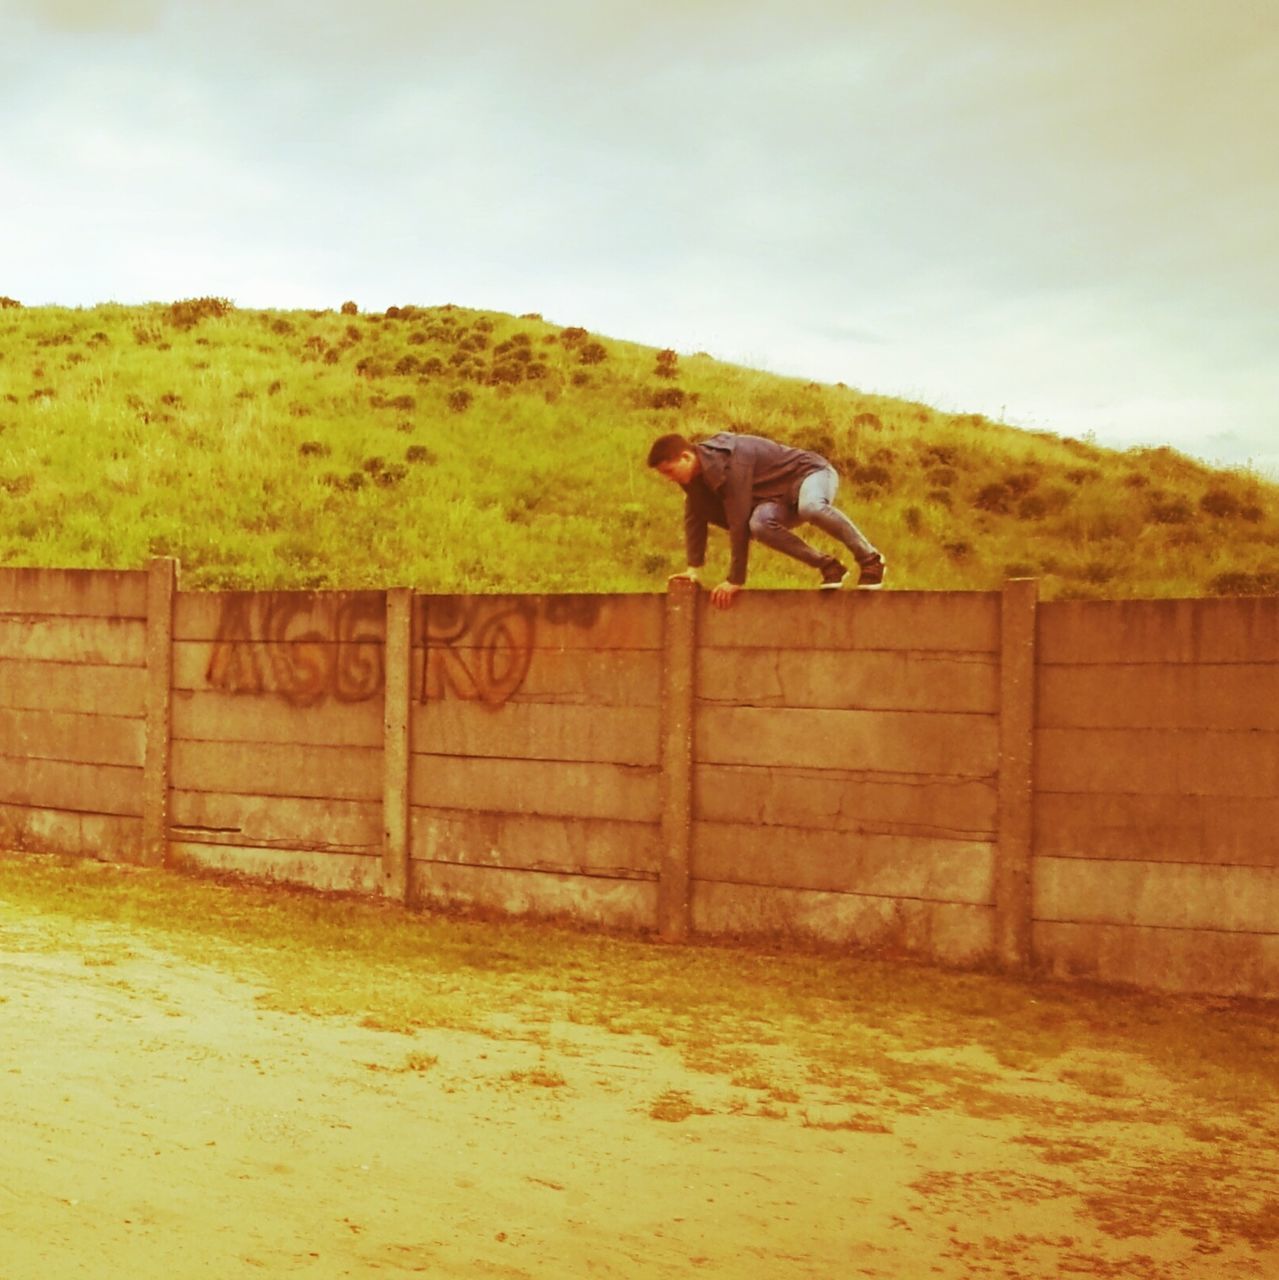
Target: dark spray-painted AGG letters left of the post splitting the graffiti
[[303, 648]]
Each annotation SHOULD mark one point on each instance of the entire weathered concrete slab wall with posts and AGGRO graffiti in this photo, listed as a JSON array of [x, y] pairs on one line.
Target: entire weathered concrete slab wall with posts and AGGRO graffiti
[[1091, 788]]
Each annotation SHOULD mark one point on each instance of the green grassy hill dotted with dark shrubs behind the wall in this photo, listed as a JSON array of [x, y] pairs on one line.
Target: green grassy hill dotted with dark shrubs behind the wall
[[455, 450]]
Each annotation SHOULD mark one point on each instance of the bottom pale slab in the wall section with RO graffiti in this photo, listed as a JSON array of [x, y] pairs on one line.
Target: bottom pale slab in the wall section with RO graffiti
[[618, 904]]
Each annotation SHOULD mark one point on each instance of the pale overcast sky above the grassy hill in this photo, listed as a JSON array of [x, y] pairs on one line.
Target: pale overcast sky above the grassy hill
[[1059, 213]]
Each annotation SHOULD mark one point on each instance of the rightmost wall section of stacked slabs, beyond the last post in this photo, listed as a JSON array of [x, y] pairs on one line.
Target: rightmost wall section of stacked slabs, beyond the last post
[[1157, 822]]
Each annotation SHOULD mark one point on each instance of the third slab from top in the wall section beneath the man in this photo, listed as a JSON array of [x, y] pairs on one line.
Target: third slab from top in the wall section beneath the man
[[885, 742]]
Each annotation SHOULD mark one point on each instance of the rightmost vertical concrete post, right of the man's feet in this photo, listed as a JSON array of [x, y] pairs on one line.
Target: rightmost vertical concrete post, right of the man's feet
[[1013, 848]]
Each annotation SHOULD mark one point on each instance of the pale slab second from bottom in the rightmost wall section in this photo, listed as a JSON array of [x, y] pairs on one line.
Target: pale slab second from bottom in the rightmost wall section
[[1158, 895]]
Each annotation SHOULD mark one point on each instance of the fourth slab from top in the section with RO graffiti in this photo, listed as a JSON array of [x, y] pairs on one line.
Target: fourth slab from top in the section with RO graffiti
[[550, 788]]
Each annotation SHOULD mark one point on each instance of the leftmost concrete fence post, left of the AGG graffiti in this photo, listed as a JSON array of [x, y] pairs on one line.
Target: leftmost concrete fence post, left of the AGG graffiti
[[161, 587]]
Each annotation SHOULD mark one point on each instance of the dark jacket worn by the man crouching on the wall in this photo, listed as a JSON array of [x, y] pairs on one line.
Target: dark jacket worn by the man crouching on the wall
[[738, 474]]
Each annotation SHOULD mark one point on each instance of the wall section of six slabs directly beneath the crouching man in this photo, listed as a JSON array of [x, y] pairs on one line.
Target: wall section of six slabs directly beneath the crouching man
[[847, 760]]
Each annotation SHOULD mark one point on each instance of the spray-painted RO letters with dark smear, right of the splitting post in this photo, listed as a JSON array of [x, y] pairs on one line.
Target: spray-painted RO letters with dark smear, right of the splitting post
[[481, 651]]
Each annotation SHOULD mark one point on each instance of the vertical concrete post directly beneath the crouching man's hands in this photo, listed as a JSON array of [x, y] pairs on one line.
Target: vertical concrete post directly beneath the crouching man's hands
[[679, 666]]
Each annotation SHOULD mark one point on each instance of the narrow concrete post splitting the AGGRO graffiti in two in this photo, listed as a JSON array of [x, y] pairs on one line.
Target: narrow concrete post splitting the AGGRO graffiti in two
[[396, 746]]
